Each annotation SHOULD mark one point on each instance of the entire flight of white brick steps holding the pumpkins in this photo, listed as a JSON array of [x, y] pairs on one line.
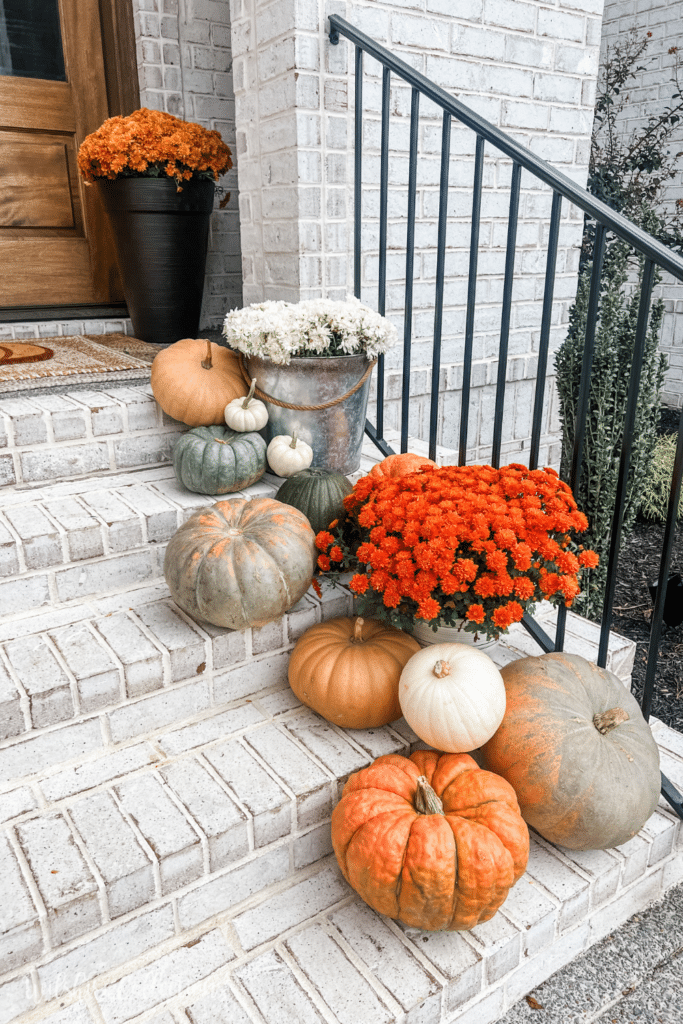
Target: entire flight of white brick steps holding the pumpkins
[[165, 854]]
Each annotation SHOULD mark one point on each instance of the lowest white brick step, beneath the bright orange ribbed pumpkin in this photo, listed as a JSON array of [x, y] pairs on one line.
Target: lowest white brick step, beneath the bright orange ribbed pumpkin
[[306, 933]]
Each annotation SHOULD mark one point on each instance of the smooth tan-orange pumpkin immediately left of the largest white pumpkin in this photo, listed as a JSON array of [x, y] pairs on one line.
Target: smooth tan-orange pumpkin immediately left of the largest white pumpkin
[[348, 670]]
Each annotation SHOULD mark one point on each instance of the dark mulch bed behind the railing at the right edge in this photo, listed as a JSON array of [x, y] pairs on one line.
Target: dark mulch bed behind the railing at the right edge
[[638, 568]]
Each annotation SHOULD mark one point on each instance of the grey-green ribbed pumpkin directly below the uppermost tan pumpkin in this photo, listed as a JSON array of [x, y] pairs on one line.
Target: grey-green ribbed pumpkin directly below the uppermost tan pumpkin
[[218, 460]]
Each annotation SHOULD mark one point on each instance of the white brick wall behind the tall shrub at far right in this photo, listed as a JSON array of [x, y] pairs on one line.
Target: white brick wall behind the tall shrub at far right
[[652, 93]]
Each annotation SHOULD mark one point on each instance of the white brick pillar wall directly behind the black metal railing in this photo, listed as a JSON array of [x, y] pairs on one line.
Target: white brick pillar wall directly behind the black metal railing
[[530, 69]]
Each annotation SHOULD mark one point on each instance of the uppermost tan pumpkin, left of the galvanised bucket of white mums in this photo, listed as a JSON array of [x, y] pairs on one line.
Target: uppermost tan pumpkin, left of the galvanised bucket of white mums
[[195, 379]]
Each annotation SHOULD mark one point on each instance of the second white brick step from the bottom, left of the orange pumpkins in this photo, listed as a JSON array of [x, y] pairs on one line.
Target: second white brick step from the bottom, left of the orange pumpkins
[[96, 832]]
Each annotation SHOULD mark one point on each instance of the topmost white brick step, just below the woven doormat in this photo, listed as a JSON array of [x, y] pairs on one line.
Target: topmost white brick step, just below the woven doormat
[[82, 434]]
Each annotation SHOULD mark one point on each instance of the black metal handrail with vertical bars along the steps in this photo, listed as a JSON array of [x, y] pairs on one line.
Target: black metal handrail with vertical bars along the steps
[[607, 220]]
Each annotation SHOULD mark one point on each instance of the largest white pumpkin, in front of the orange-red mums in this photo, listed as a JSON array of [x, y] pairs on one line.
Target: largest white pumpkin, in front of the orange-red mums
[[453, 697]]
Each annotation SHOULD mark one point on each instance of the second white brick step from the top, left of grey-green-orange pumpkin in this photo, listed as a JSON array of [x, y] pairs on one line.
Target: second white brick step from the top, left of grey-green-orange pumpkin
[[78, 540]]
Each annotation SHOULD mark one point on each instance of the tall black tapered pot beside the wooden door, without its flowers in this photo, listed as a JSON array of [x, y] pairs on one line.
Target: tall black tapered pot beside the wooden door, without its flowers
[[161, 238]]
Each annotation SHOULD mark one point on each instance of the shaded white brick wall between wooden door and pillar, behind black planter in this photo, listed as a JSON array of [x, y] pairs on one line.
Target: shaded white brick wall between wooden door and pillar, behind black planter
[[185, 64]]
